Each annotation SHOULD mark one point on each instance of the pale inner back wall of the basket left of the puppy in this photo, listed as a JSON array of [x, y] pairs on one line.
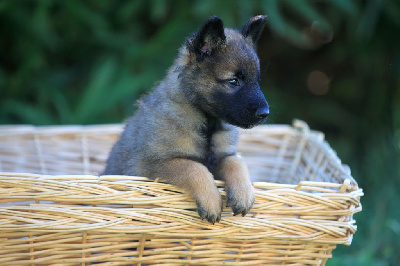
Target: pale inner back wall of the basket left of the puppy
[[56, 150]]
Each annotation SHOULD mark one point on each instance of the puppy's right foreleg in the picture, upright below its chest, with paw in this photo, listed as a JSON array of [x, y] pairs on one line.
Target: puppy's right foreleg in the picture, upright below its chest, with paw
[[240, 192]]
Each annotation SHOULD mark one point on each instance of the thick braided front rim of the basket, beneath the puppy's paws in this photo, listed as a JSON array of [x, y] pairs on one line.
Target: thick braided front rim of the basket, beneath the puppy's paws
[[48, 195]]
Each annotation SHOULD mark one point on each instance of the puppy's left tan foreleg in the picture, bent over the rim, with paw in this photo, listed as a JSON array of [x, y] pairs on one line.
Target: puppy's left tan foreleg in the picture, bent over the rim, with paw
[[199, 182]]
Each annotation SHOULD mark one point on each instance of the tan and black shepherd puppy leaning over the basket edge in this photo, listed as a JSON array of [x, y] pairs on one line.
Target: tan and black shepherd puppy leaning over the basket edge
[[185, 130]]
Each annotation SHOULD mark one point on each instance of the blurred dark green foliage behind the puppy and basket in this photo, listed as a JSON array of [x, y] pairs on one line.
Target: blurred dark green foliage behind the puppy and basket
[[333, 63]]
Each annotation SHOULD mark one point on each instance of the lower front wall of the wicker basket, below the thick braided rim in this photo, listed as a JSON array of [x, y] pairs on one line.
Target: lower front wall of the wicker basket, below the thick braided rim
[[72, 248]]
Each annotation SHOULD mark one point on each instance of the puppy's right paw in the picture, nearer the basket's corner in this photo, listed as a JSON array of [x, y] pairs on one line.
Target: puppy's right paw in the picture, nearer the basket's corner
[[240, 197]]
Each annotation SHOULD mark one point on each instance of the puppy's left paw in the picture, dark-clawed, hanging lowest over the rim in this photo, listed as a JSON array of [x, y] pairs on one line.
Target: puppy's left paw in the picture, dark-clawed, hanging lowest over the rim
[[209, 206]]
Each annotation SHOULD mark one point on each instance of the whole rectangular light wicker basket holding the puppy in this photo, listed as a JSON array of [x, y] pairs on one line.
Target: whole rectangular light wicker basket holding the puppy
[[54, 209]]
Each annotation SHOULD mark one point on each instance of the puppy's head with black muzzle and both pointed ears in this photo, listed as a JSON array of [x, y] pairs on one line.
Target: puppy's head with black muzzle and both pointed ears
[[222, 72]]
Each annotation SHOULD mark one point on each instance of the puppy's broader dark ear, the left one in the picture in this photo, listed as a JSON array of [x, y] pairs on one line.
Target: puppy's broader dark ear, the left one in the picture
[[210, 37]]
